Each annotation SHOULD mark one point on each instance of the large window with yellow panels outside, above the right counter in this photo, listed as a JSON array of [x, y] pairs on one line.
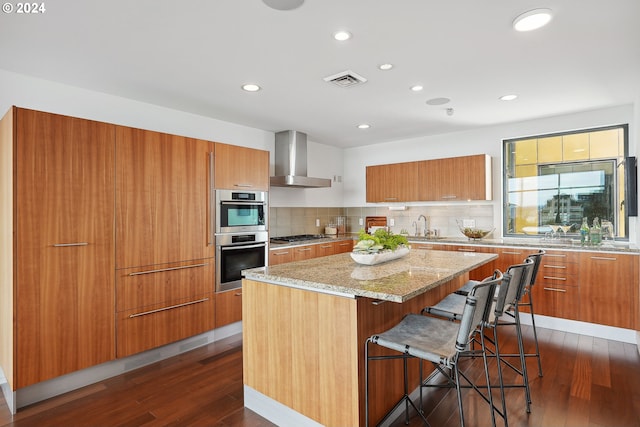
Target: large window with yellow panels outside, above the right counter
[[556, 180]]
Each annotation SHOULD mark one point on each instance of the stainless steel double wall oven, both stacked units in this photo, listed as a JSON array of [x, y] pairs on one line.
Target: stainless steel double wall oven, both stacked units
[[241, 235]]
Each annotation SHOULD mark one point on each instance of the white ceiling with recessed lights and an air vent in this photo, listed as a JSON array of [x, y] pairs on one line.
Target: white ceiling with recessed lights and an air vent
[[193, 55]]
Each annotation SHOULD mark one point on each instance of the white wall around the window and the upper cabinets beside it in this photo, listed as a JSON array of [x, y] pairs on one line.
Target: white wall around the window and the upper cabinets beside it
[[482, 140]]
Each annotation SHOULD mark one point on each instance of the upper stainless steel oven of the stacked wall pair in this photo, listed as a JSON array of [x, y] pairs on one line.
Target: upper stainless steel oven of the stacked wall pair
[[240, 211]]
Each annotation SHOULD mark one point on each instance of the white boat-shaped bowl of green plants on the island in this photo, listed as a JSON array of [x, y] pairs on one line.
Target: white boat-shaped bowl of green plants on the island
[[381, 246]]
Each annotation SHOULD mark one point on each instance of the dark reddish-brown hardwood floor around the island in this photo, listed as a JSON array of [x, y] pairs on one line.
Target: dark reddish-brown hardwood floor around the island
[[587, 382]]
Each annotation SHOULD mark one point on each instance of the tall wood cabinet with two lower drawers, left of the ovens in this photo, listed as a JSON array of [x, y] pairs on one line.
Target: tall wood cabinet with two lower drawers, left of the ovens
[[165, 275]]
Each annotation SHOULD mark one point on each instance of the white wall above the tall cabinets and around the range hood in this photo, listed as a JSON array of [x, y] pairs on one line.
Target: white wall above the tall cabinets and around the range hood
[[38, 94]]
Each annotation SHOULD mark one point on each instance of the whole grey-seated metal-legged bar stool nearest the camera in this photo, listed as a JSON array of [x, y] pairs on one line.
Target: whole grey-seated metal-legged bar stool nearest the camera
[[438, 341]]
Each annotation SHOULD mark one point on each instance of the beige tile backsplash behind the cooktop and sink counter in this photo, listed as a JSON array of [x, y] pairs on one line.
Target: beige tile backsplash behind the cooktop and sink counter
[[291, 221]]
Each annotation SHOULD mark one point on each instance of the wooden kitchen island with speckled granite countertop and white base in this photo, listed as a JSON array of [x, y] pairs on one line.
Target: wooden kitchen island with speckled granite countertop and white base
[[305, 325]]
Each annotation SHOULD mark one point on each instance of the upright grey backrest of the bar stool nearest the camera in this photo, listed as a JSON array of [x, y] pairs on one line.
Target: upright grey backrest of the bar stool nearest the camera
[[475, 312]]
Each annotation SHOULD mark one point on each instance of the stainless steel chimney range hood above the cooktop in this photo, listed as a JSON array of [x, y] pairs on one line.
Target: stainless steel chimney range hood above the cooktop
[[291, 162]]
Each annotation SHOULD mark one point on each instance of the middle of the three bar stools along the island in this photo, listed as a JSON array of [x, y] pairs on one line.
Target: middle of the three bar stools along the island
[[508, 294]]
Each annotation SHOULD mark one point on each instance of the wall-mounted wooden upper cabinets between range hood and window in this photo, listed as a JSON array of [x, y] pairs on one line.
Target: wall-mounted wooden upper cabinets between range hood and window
[[450, 179]]
